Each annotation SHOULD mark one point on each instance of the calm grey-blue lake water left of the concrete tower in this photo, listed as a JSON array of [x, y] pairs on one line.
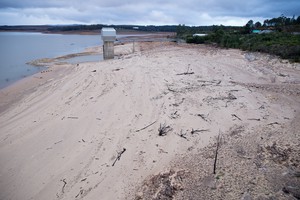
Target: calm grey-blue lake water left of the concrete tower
[[18, 48]]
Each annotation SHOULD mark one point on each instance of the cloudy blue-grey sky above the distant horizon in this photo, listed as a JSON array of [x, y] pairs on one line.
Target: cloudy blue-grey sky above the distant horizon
[[143, 12]]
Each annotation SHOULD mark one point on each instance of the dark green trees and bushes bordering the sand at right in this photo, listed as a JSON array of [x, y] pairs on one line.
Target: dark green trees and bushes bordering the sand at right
[[283, 38]]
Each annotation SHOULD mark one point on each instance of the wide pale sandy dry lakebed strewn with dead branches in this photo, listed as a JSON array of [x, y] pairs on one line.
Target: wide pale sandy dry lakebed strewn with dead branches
[[62, 130]]
